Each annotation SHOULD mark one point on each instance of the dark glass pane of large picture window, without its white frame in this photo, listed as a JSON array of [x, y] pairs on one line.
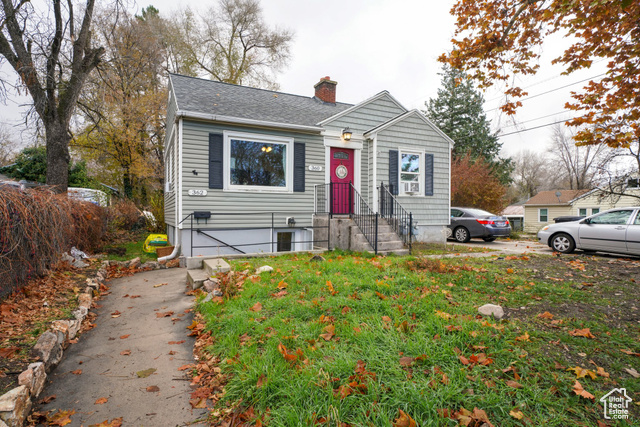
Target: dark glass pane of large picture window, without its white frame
[[257, 163]]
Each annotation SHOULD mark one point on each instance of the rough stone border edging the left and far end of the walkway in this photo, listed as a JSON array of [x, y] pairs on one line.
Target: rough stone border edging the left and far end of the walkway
[[15, 405]]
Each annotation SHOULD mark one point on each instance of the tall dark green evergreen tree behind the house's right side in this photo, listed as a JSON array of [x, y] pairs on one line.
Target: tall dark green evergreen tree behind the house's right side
[[458, 112]]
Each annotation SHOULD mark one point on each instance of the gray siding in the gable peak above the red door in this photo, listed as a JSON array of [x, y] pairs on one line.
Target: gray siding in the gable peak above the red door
[[368, 116]]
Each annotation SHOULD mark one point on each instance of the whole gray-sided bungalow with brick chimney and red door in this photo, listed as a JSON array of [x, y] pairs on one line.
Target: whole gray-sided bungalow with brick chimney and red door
[[251, 170]]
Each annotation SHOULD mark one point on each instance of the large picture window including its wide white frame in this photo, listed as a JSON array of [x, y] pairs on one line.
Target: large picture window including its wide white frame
[[258, 162]]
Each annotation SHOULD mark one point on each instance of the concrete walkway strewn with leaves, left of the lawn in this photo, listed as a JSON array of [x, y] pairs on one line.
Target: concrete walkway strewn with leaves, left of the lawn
[[130, 337]]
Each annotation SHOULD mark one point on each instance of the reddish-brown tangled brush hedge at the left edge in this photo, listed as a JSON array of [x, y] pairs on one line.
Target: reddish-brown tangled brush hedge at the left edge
[[36, 227]]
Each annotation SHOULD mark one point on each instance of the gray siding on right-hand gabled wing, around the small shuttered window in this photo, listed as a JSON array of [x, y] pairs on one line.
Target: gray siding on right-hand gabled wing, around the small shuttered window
[[414, 133]]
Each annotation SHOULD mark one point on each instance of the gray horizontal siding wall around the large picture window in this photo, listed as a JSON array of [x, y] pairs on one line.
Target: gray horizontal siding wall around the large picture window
[[242, 208]]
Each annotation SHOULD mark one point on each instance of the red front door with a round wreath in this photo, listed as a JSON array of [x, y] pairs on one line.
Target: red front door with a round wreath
[[342, 173]]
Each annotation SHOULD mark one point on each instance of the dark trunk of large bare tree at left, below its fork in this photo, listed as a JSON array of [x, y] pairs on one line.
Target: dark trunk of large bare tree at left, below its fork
[[57, 156]]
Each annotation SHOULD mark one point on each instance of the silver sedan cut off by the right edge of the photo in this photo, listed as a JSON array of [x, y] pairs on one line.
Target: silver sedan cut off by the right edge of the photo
[[615, 230]]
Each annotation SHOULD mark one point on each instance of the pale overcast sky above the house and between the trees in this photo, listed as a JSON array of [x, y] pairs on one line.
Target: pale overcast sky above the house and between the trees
[[372, 45]]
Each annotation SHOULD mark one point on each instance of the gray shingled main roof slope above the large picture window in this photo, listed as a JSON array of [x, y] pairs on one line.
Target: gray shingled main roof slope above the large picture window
[[210, 97]]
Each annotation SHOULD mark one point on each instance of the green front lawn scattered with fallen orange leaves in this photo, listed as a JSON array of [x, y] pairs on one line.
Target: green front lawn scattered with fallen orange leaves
[[356, 339]]
